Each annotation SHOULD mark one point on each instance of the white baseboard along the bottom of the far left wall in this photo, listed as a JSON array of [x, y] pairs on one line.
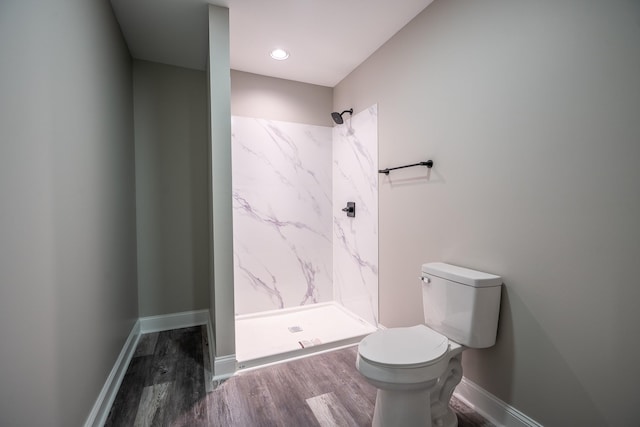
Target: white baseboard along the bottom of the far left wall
[[102, 406]]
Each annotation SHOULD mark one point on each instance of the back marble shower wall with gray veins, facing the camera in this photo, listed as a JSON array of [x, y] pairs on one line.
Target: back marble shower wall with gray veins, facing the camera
[[282, 214]]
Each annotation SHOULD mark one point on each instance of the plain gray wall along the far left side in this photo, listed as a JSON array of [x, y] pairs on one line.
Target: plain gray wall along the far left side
[[68, 296]]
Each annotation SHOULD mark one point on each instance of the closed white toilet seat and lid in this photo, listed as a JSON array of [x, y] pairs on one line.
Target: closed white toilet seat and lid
[[411, 347]]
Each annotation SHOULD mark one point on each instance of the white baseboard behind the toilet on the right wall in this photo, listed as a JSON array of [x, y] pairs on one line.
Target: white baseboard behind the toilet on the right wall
[[492, 408]]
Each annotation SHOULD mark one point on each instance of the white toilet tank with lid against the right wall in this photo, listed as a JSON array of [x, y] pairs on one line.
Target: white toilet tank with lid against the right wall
[[461, 303]]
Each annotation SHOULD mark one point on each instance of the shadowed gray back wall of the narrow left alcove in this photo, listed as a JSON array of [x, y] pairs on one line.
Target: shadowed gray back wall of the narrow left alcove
[[170, 110]]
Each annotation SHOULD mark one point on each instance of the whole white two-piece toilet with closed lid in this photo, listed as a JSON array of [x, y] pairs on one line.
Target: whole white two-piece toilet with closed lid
[[417, 368]]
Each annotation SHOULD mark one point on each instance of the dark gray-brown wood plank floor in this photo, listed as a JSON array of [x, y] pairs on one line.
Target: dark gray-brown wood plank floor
[[165, 386]]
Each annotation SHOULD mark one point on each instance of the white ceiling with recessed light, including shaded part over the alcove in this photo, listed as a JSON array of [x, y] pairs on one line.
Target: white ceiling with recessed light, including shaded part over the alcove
[[326, 39]]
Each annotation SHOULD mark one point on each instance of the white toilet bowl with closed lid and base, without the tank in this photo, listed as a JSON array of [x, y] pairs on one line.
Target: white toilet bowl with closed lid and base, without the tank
[[410, 367]]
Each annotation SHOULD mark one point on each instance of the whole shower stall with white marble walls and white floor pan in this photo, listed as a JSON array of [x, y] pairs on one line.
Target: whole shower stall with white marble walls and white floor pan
[[305, 269]]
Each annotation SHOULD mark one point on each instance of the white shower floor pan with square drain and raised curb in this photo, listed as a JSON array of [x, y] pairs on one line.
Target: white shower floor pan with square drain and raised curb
[[278, 335]]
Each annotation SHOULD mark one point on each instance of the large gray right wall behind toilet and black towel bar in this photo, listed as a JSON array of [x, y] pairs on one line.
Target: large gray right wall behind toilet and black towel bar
[[530, 111]]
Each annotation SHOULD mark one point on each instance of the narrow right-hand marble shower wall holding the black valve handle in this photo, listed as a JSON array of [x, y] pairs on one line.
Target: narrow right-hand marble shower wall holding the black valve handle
[[355, 244]]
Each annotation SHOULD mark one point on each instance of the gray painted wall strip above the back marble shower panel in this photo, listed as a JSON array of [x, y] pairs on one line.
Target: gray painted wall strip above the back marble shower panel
[[253, 95]]
